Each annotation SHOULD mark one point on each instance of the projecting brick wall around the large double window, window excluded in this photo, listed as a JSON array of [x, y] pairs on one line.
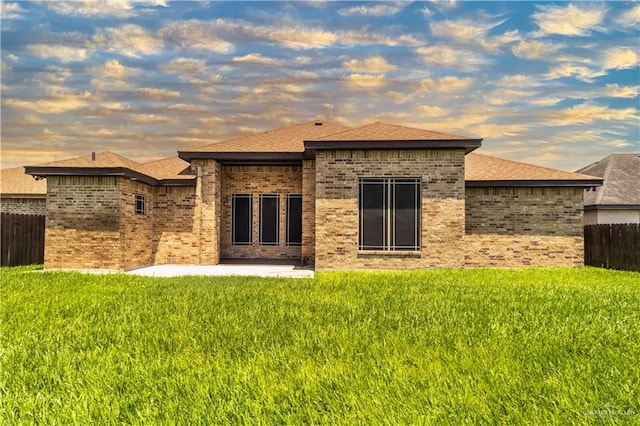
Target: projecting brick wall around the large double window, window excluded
[[442, 208]]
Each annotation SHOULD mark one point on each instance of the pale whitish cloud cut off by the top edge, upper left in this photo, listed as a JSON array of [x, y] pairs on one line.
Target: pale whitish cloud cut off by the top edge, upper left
[[97, 8]]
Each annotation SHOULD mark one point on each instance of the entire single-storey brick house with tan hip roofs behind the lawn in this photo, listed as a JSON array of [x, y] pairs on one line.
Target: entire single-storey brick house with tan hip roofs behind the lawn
[[379, 196]]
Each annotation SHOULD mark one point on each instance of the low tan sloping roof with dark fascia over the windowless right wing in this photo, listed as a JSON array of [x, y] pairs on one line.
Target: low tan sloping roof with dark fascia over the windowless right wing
[[484, 170]]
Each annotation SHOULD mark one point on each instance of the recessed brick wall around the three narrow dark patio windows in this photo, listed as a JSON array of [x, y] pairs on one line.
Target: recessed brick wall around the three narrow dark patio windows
[[258, 180]]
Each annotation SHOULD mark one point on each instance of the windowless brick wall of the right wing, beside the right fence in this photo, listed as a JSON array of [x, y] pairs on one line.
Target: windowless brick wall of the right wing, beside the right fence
[[511, 227]]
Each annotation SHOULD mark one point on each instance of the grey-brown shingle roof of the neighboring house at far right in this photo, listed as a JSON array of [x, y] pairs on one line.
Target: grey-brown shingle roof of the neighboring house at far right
[[621, 187]]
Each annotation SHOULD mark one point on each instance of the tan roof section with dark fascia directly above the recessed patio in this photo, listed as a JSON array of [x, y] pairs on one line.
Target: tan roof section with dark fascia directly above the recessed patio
[[284, 143]]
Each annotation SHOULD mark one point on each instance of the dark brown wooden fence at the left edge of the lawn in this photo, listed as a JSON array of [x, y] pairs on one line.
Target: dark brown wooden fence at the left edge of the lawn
[[22, 239]]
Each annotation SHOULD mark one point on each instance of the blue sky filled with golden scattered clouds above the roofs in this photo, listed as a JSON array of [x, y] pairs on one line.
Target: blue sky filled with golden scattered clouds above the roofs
[[554, 84]]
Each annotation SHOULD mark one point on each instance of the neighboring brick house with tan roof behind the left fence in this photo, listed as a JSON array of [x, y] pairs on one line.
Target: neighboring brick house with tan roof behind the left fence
[[21, 193]]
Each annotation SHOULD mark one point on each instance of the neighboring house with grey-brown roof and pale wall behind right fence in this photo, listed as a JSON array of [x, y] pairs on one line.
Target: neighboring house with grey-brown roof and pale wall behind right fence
[[618, 199]]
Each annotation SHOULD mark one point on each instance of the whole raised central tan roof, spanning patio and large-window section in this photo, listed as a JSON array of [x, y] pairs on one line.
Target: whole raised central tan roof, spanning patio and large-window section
[[300, 141]]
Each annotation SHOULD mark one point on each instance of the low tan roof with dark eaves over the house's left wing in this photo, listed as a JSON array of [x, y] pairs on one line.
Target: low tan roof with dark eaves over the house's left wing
[[166, 172]]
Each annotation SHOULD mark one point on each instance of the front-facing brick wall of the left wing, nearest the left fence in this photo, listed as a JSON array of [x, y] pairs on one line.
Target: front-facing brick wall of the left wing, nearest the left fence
[[82, 226]]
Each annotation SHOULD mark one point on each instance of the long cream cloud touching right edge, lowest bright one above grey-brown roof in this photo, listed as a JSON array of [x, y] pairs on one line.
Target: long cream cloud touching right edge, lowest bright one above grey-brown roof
[[587, 113]]
